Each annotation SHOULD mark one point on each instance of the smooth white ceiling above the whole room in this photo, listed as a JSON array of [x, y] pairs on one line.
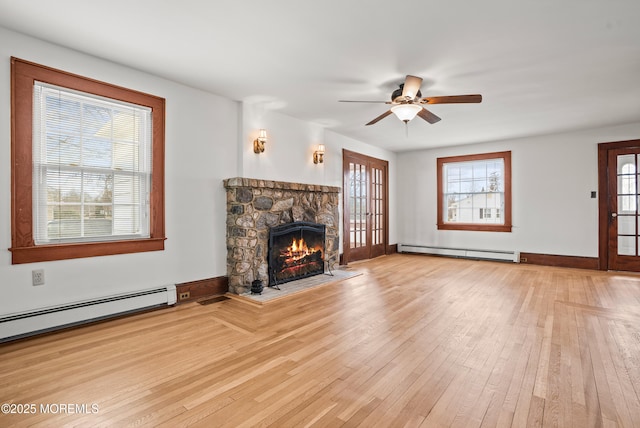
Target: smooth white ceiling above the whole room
[[542, 66]]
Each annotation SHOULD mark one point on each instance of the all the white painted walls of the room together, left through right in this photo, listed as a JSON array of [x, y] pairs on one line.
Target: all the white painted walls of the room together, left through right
[[209, 138]]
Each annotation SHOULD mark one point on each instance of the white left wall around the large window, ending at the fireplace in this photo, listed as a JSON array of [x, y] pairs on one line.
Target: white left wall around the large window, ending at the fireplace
[[201, 141]]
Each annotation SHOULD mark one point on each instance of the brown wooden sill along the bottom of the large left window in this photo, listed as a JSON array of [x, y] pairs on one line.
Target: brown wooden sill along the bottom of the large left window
[[44, 253]]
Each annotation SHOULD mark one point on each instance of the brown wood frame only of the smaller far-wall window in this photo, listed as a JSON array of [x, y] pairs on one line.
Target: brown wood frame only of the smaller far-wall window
[[506, 226]]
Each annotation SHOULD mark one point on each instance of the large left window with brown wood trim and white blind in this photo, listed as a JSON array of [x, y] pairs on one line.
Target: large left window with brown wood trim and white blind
[[87, 166]]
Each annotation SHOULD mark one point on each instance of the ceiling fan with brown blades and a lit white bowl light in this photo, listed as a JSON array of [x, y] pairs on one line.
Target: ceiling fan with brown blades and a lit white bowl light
[[407, 102]]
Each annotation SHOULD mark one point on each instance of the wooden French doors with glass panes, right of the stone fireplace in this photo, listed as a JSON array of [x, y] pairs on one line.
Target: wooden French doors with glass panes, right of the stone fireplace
[[365, 207]]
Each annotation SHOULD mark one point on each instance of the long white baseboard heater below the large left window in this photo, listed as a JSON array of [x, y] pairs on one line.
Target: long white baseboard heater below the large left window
[[24, 324]]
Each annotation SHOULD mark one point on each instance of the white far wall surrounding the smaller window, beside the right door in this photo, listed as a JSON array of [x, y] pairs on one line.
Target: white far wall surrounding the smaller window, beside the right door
[[552, 180]]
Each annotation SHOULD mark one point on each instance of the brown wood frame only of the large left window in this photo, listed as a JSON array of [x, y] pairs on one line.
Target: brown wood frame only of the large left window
[[23, 248]]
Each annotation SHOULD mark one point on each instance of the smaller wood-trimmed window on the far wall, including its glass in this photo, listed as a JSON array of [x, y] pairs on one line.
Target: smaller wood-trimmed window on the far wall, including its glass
[[474, 192]]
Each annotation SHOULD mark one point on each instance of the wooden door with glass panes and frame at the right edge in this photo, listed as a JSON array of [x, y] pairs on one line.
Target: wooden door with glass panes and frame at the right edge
[[619, 210]]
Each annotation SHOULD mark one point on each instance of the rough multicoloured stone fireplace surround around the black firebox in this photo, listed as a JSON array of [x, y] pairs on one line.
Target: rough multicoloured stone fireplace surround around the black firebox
[[253, 206]]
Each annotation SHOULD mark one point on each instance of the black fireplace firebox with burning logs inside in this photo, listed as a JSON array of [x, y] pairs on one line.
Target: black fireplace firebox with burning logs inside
[[296, 250]]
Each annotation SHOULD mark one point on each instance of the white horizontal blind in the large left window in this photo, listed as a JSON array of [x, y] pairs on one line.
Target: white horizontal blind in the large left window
[[92, 167]]
